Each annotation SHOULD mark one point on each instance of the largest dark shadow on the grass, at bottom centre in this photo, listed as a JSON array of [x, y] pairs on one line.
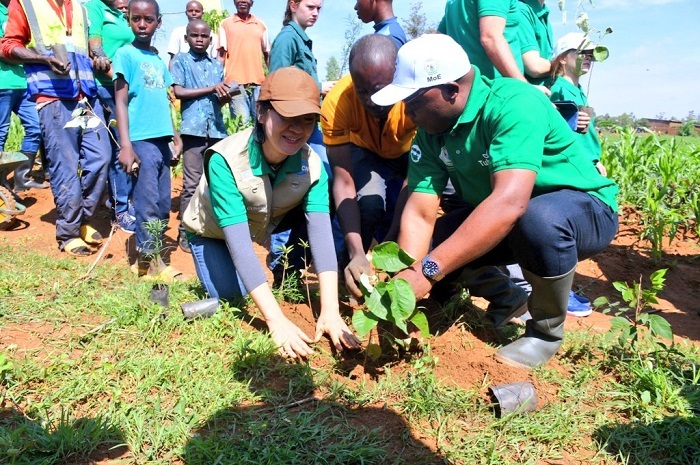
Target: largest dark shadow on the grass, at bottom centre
[[294, 423]]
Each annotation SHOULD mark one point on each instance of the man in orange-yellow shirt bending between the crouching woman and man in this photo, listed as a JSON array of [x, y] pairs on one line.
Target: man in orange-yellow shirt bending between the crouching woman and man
[[368, 147]]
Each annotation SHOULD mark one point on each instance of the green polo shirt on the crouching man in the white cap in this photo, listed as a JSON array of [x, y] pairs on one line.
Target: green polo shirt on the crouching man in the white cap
[[506, 124]]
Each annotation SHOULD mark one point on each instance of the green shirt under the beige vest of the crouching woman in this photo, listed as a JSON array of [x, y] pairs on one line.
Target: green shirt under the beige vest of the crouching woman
[[227, 201]]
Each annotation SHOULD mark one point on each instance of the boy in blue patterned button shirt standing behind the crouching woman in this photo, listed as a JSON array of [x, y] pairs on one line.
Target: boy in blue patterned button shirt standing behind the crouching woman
[[199, 84]]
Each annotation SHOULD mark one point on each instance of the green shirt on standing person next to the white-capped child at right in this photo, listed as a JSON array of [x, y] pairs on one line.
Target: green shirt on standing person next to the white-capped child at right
[[536, 32]]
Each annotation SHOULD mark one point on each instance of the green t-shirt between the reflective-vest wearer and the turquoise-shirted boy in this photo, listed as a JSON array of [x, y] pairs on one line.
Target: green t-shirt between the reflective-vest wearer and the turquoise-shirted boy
[[110, 25]]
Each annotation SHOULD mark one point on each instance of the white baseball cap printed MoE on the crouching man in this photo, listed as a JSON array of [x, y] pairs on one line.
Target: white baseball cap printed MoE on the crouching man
[[430, 60]]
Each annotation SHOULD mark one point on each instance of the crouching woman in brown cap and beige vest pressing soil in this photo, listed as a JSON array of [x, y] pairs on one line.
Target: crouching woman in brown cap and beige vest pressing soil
[[252, 179]]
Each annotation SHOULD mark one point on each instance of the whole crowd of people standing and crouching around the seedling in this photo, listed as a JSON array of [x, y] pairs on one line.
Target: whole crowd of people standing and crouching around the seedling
[[453, 144]]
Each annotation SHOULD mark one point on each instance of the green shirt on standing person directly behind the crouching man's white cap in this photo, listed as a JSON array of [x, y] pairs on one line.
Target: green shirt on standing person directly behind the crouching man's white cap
[[461, 22]]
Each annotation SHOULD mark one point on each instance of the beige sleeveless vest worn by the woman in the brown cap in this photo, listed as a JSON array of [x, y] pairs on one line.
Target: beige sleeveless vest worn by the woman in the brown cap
[[265, 205]]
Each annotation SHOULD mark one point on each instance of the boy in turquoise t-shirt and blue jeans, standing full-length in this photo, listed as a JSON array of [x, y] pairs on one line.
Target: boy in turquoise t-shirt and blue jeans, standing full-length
[[141, 80]]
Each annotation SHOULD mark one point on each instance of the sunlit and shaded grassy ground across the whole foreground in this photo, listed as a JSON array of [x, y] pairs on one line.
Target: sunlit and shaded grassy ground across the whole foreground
[[115, 374]]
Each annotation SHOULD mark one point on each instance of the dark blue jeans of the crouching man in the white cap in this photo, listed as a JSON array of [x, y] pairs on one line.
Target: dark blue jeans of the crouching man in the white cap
[[556, 231]]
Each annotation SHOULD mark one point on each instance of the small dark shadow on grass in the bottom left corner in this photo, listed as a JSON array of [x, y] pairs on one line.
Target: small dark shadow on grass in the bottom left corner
[[65, 441]]
